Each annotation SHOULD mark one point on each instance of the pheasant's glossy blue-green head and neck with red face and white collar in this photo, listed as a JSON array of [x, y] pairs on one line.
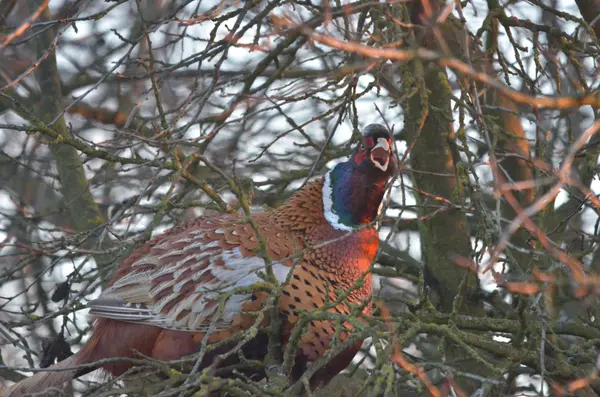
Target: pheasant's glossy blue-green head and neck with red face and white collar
[[353, 190]]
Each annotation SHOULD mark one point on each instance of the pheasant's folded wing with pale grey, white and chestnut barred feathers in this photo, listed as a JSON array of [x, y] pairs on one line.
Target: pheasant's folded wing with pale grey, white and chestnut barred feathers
[[176, 283]]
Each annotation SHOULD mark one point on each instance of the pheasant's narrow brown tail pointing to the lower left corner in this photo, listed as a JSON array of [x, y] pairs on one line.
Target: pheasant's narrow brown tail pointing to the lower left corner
[[46, 383]]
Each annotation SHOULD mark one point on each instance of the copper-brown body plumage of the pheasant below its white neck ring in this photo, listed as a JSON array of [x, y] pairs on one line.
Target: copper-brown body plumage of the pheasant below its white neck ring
[[163, 275]]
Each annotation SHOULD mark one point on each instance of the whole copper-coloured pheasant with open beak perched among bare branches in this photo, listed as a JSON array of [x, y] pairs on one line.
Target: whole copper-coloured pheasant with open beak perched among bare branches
[[165, 298]]
